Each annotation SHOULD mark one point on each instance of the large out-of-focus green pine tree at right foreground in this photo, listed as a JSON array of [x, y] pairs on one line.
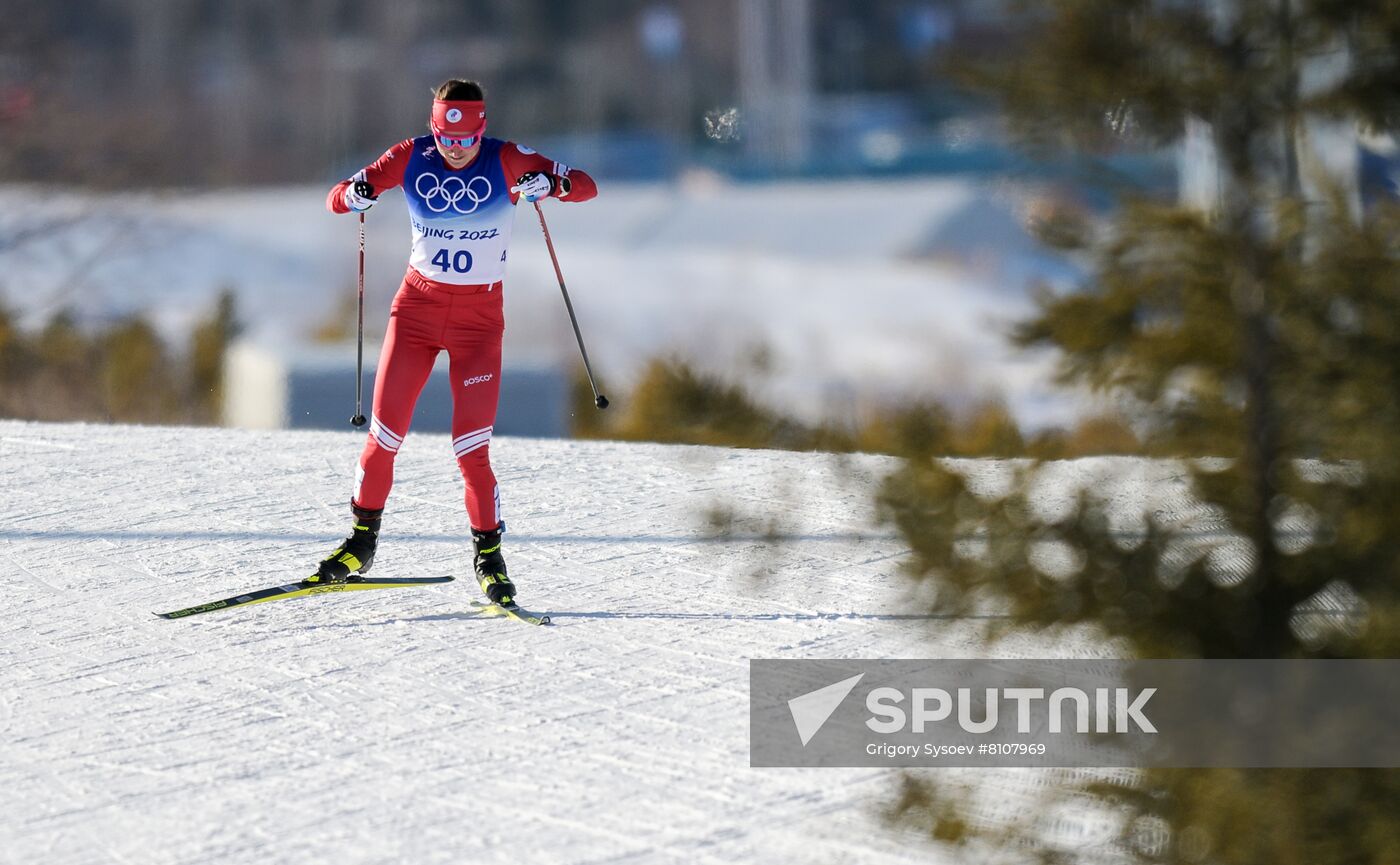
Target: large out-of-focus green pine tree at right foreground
[[1262, 332]]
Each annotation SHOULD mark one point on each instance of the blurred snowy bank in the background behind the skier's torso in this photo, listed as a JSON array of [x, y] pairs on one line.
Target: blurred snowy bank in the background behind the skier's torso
[[855, 293]]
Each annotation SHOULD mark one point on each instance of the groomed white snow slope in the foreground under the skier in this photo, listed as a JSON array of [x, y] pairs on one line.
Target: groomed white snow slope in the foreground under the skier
[[397, 727]]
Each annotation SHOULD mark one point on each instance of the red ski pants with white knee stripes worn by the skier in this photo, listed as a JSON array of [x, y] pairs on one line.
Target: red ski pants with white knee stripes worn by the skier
[[428, 318]]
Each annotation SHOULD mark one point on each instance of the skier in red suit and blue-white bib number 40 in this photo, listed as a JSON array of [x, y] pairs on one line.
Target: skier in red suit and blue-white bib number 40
[[461, 208]]
